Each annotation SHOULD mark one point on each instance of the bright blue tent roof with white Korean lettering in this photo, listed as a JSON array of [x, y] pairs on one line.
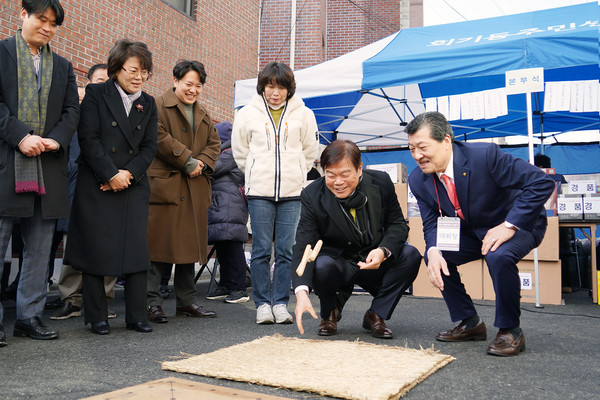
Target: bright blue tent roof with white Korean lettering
[[555, 38]]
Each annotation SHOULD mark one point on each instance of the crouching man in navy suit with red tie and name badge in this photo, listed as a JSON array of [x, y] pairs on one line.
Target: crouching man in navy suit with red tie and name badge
[[501, 212]]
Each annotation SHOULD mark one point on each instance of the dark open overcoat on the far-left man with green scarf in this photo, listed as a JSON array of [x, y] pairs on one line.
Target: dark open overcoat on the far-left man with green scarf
[[61, 122]]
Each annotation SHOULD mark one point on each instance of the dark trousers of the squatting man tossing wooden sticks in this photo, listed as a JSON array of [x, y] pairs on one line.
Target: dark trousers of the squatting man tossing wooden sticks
[[334, 277]]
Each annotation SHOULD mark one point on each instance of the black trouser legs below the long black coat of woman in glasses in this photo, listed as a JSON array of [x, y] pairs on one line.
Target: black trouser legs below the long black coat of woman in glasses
[[96, 306]]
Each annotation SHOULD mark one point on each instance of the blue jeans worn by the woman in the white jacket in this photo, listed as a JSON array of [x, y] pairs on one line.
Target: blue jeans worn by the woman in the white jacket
[[272, 221]]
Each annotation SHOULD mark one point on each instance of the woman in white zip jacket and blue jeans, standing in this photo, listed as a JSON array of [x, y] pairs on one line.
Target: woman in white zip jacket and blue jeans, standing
[[274, 142]]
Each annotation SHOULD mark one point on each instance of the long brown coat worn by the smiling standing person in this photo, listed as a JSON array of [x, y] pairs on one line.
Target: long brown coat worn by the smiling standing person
[[177, 221]]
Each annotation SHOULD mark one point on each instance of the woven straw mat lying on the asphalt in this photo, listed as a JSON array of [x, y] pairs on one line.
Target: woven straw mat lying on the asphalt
[[350, 370]]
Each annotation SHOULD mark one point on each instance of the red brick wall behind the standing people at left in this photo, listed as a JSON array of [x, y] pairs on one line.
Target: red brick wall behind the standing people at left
[[222, 34]]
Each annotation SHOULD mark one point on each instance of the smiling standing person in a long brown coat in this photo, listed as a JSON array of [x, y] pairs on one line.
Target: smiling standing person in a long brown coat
[[188, 148]]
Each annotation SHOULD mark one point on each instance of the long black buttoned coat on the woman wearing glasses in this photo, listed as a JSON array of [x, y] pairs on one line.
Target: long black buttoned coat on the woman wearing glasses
[[107, 230]]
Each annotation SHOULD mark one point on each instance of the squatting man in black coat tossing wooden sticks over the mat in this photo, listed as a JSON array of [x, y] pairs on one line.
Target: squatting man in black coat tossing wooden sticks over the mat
[[357, 216]]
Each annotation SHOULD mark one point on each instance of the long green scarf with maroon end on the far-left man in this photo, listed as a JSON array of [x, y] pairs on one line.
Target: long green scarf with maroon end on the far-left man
[[33, 92]]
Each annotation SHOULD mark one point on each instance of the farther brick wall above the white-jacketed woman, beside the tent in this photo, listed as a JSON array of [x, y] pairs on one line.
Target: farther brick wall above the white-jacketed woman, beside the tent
[[325, 29]]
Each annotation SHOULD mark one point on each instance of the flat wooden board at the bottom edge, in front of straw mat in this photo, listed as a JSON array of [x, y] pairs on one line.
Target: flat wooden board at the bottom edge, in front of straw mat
[[181, 389]]
